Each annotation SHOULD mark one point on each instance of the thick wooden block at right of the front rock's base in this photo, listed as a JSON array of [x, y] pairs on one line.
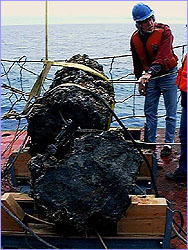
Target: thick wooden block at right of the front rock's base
[[145, 216]]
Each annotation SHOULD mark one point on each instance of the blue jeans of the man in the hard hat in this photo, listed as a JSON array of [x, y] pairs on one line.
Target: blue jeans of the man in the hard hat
[[167, 86]]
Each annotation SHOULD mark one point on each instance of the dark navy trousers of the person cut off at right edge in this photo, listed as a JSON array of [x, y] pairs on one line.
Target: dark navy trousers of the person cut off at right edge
[[183, 139]]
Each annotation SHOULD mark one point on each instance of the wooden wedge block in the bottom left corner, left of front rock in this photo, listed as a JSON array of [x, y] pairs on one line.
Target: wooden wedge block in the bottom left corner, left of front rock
[[7, 222]]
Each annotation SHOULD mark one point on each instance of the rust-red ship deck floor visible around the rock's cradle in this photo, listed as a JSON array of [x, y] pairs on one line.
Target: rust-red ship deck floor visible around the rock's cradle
[[175, 193]]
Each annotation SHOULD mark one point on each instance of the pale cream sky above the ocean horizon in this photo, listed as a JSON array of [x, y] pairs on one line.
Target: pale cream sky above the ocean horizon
[[63, 12]]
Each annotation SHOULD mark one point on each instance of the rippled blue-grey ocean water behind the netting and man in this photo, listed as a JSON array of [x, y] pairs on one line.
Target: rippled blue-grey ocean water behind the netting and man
[[64, 41]]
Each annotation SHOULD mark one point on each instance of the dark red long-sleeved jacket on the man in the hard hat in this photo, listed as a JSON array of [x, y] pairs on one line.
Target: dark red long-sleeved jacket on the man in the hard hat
[[163, 52]]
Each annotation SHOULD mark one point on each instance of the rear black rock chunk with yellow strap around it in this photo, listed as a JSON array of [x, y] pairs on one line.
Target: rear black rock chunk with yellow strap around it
[[67, 101]]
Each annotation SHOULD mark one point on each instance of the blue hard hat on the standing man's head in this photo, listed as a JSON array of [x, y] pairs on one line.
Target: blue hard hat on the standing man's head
[[141, 12]]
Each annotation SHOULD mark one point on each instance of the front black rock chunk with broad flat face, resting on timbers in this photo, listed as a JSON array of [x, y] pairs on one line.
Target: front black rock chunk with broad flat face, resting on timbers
[[89, 187]]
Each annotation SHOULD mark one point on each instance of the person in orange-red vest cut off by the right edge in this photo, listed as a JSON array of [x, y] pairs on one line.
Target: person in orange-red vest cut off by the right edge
[[180, 174]]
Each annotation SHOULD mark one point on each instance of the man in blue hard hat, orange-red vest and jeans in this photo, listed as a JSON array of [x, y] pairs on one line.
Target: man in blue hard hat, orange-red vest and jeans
[[152, 53]]
